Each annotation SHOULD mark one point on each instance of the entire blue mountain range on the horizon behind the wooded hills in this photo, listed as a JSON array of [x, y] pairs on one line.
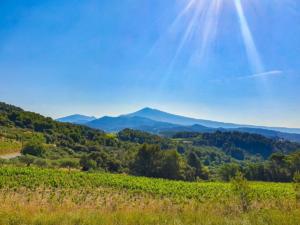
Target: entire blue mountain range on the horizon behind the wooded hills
[[159, 122]]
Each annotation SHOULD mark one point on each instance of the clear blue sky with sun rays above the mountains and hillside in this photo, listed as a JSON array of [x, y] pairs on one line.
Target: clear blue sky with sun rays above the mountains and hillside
[[226, 60]]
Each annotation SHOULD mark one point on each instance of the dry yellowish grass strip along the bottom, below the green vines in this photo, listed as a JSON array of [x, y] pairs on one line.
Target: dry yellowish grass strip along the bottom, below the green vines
[[114, 207]]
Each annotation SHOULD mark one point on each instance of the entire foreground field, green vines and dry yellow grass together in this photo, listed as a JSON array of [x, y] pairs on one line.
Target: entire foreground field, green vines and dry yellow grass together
[[44, 196]]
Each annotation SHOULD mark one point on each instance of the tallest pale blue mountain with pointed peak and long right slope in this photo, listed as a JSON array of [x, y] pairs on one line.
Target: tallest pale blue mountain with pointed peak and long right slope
[[161, 116]]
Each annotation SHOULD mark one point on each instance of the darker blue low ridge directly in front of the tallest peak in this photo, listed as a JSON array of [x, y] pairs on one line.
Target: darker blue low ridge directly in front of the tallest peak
[[115, 124]]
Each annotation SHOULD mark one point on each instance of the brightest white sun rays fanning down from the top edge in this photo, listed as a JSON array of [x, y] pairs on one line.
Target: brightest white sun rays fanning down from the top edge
[[203, 25]]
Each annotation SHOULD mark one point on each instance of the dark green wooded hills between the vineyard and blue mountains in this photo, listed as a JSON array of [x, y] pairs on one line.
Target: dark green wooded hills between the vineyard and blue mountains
[[184, 156]]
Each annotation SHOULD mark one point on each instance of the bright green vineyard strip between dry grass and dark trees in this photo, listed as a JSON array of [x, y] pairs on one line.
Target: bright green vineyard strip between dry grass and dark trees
[[32, 178]]
